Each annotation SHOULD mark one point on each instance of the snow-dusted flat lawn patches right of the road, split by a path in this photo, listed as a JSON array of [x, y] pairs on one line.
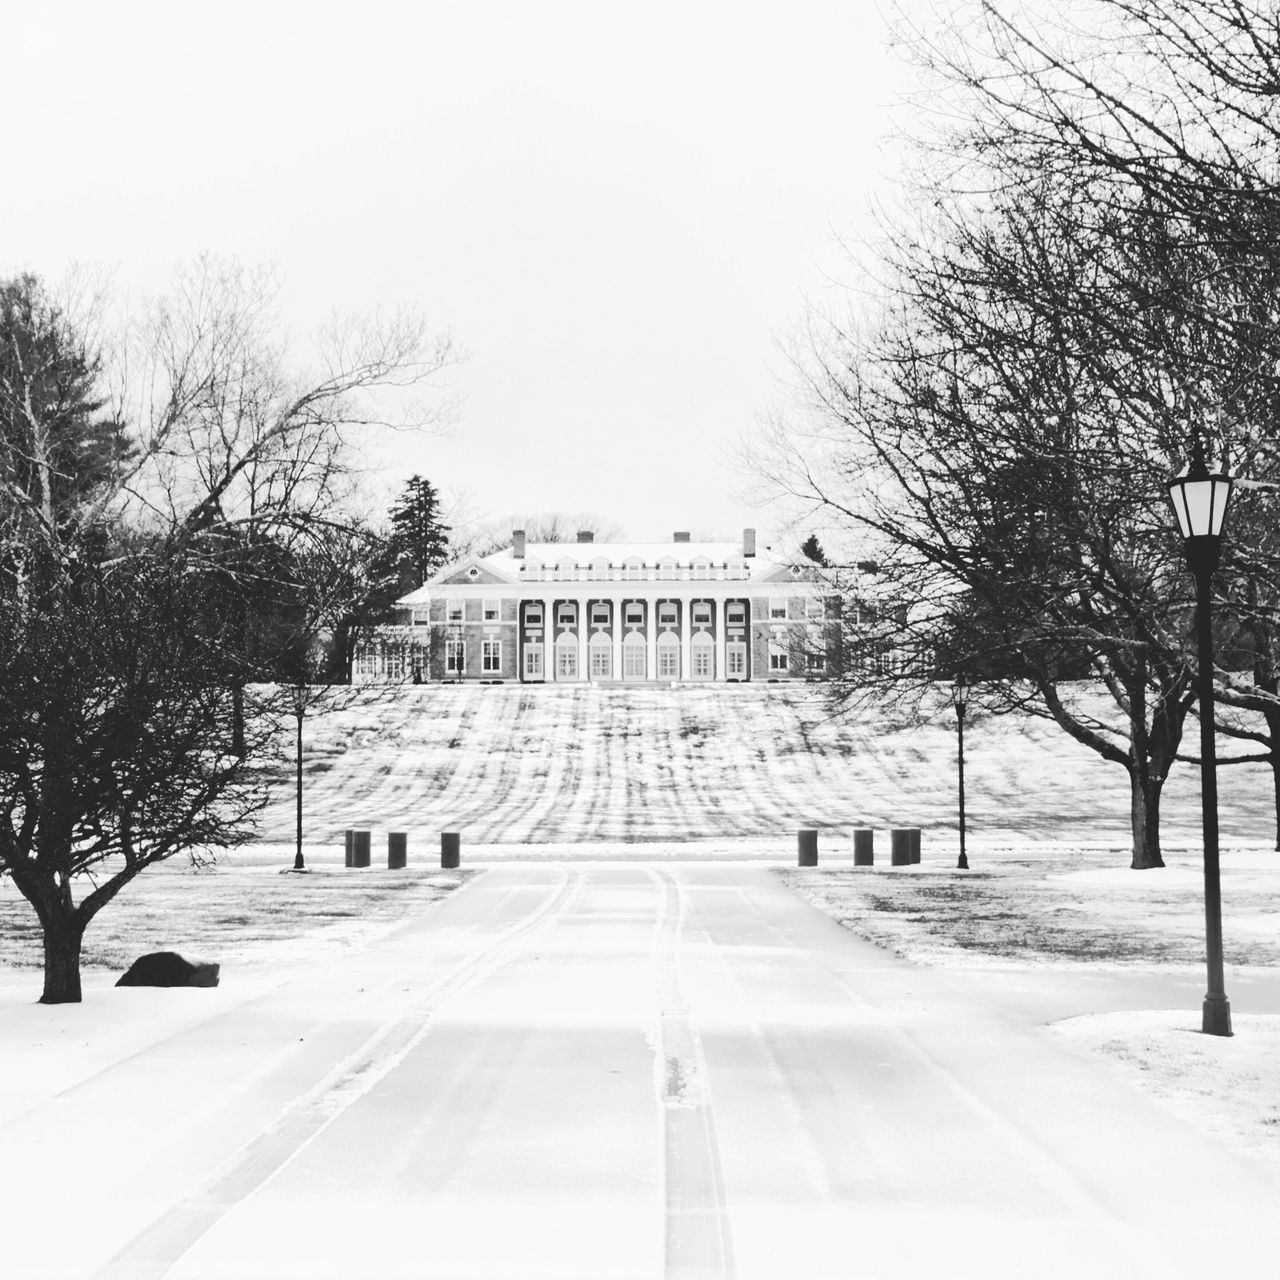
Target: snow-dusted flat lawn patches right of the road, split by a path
[[1057, 911]]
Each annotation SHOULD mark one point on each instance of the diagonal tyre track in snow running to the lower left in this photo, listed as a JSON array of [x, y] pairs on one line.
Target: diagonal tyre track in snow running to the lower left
[[157, 1249]]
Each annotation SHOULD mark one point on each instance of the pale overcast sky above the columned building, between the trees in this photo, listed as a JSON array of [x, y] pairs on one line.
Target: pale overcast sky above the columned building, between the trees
[[619, 209]]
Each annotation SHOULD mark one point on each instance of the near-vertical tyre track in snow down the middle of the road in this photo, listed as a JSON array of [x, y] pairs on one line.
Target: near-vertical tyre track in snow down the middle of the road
[[698, 1241]]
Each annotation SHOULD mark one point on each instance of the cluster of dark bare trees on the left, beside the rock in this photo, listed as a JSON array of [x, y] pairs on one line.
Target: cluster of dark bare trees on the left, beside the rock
[[121, 744]]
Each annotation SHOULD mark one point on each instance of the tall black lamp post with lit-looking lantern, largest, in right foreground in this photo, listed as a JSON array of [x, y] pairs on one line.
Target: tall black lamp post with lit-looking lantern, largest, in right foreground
[[1200, 501]]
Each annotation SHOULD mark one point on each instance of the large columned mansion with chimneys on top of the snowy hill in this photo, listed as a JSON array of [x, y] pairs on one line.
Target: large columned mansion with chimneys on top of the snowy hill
[[627, 612]]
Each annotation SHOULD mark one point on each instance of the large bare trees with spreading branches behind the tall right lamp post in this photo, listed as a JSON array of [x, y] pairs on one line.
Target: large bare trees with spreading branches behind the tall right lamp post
[[1082, 278]]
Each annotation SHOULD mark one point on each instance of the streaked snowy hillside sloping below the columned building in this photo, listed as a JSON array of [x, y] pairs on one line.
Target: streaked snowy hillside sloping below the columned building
[[511, 765]]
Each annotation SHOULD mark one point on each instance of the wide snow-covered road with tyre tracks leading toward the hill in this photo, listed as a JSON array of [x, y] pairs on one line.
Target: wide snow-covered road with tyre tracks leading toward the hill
[[616, 1071]]
